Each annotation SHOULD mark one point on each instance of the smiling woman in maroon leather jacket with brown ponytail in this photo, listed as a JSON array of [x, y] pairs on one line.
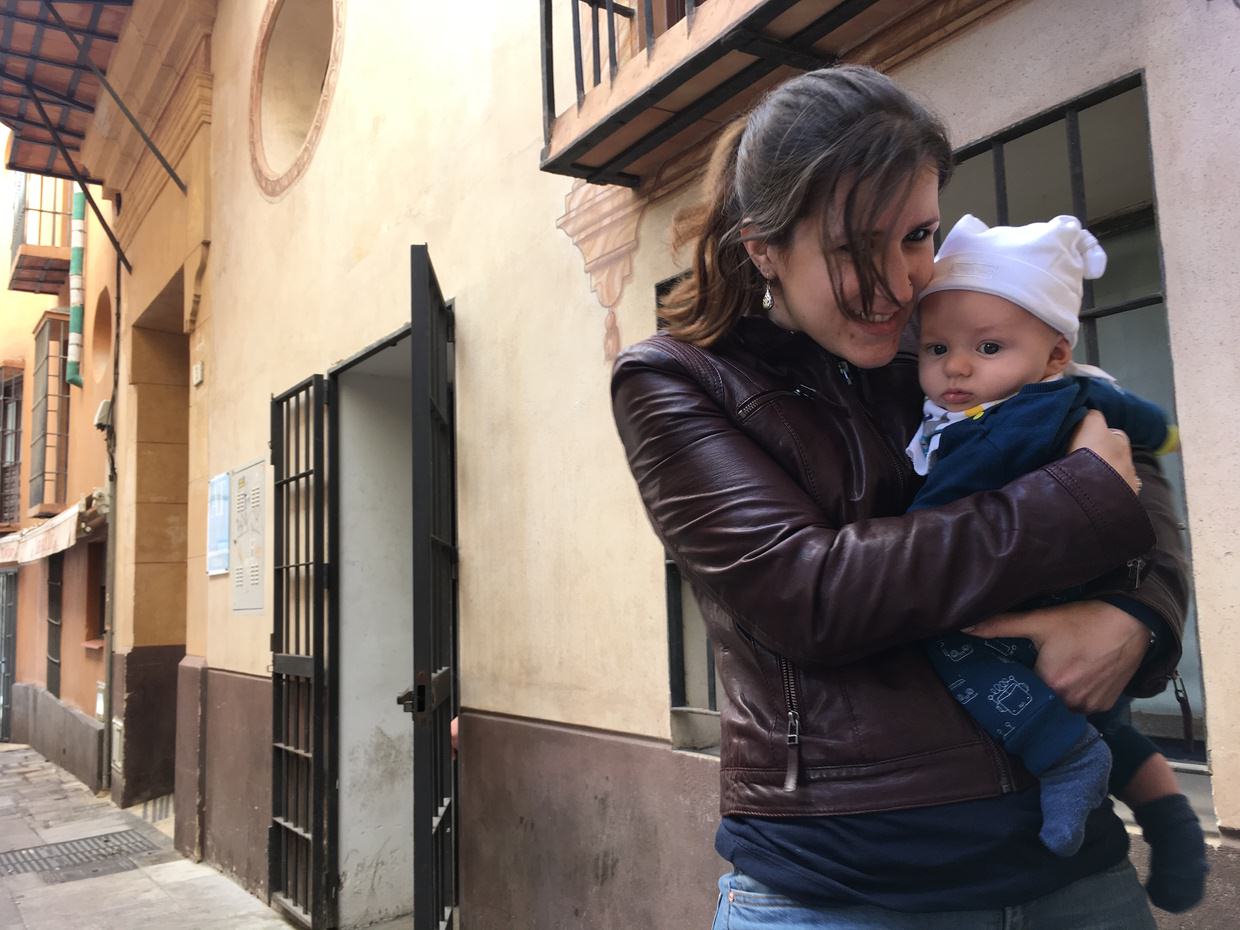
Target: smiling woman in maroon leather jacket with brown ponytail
[[764, 430]]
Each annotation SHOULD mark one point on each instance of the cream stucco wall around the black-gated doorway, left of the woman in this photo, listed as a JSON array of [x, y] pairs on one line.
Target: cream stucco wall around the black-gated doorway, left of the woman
[[433, 137]]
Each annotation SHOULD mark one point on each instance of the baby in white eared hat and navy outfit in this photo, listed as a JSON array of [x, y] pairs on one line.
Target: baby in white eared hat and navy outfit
[[1004, 397]]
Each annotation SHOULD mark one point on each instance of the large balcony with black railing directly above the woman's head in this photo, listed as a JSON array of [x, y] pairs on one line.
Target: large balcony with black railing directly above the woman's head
[[654, 79]]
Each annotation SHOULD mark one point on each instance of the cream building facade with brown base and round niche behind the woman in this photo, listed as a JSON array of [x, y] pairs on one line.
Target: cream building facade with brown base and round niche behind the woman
[[291, 369]]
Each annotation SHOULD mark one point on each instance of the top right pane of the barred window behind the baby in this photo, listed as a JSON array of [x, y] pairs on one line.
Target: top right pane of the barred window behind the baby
[[1115, 156]]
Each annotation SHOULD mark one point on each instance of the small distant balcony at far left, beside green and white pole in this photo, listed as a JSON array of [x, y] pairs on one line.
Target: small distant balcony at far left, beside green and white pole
[[40, 236]]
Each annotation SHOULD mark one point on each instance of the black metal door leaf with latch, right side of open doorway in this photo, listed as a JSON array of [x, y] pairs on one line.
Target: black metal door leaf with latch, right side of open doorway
[[433, 700]]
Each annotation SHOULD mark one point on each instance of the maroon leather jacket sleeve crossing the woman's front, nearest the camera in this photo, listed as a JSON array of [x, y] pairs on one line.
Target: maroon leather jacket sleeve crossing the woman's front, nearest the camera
[[828, 595]]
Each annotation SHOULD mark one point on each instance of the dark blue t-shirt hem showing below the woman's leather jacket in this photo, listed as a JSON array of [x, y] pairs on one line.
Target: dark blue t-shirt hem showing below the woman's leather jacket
[[965, 856]]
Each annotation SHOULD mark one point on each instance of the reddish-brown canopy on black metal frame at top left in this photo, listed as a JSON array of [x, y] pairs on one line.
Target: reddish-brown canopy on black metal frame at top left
[[39, 59]]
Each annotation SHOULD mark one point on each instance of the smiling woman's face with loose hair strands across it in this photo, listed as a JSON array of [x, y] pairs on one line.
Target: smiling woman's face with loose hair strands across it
[[802, 281]]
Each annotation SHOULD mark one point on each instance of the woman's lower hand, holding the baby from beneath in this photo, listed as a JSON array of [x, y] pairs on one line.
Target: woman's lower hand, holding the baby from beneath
[[1088, 652]]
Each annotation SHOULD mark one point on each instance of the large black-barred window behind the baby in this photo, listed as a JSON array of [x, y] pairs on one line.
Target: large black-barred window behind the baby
[[1091, 158]]
